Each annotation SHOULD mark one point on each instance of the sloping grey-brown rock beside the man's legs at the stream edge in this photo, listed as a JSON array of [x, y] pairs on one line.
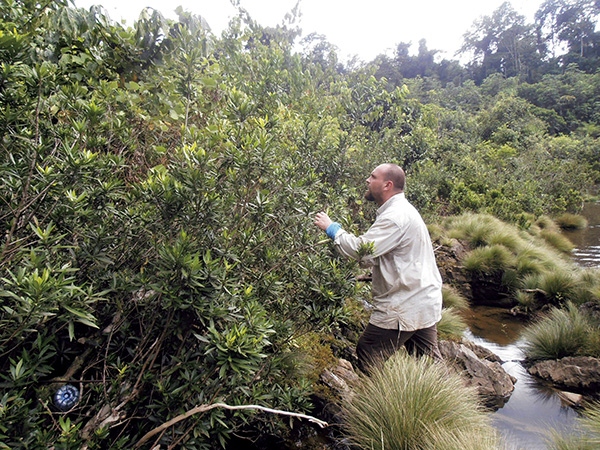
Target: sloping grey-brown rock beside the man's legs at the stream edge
[[490, 379]]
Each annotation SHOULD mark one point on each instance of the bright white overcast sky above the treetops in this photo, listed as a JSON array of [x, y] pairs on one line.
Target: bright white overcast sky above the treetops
[[363, 28]]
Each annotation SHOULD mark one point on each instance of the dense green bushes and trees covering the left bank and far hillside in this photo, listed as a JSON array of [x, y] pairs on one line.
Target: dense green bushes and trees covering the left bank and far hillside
[[158, 189]]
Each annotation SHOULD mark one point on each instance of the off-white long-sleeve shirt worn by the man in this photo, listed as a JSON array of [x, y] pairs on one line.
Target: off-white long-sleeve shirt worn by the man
[[407, 286]]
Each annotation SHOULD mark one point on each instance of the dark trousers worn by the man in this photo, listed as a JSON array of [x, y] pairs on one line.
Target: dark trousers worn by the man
[[377, 344]]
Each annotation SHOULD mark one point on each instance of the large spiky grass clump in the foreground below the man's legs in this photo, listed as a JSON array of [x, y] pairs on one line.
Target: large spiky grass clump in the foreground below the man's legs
[[411, 403]]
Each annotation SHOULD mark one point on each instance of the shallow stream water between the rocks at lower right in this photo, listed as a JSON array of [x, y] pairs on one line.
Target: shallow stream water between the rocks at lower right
[[533, 410]]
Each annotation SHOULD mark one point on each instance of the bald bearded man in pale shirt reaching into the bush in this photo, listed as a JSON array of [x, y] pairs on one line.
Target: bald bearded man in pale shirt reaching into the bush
[[407, 286]]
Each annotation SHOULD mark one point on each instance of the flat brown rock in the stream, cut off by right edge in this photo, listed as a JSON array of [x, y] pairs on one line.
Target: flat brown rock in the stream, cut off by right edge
[[578, 373]]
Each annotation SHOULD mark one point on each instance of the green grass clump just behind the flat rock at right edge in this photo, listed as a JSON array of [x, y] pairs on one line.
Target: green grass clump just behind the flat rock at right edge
[[563, 332]]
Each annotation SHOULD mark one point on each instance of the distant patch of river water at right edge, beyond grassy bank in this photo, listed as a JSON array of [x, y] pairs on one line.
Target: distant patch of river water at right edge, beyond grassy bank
[[587, 241]]
